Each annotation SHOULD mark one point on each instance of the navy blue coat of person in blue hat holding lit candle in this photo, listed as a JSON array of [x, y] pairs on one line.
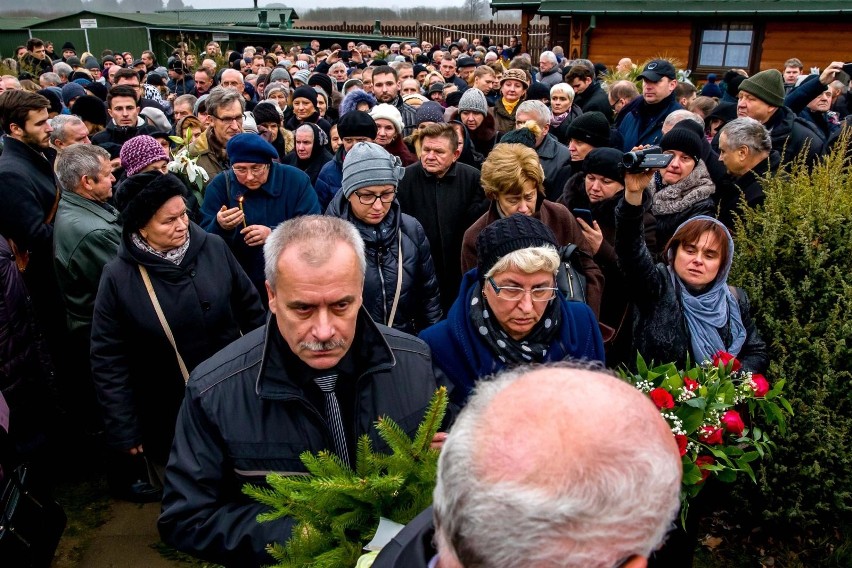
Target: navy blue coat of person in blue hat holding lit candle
[[287, 193]]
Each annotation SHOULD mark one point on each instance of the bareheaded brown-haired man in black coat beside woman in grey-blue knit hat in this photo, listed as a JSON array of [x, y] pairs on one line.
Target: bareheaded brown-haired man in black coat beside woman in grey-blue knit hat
[[445, 196]]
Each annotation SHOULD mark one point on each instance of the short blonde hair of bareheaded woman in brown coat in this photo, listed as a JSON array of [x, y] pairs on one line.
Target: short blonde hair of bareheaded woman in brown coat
[[508, 167]]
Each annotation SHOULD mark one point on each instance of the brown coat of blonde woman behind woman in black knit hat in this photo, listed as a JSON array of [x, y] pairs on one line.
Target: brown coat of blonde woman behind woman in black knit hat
[[564, 227]]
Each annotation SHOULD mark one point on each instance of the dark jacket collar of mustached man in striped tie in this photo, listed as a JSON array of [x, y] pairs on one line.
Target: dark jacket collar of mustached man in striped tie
[[371, 355]]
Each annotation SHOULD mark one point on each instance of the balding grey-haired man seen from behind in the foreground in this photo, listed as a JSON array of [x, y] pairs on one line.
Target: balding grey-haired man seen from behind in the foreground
[[549, 466]]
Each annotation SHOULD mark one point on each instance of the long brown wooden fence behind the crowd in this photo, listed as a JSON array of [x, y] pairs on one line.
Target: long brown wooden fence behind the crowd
[[499, 33]]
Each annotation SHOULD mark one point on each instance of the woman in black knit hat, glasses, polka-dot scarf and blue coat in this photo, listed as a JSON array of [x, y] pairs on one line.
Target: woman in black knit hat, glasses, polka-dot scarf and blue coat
[[509, 311]]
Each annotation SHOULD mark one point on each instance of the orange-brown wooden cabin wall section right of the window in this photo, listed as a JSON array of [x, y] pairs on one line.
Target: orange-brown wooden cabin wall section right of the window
[[816, 43]]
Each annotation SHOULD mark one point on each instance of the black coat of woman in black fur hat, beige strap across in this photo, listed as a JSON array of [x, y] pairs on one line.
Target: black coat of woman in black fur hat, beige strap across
[[208, 302]]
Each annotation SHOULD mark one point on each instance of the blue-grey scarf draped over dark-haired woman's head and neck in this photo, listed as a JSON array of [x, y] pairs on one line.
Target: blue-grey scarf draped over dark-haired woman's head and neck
[[711, 311]]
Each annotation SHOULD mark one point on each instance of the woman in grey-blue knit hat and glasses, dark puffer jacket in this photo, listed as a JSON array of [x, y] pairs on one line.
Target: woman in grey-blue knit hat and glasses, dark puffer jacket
[[400, 286]]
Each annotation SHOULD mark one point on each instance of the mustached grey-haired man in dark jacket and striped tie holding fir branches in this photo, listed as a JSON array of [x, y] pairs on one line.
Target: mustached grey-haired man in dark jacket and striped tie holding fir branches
[[254, 407]]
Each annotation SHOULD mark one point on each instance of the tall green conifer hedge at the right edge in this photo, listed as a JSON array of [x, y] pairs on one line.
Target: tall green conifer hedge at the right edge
[[794, 258]]
